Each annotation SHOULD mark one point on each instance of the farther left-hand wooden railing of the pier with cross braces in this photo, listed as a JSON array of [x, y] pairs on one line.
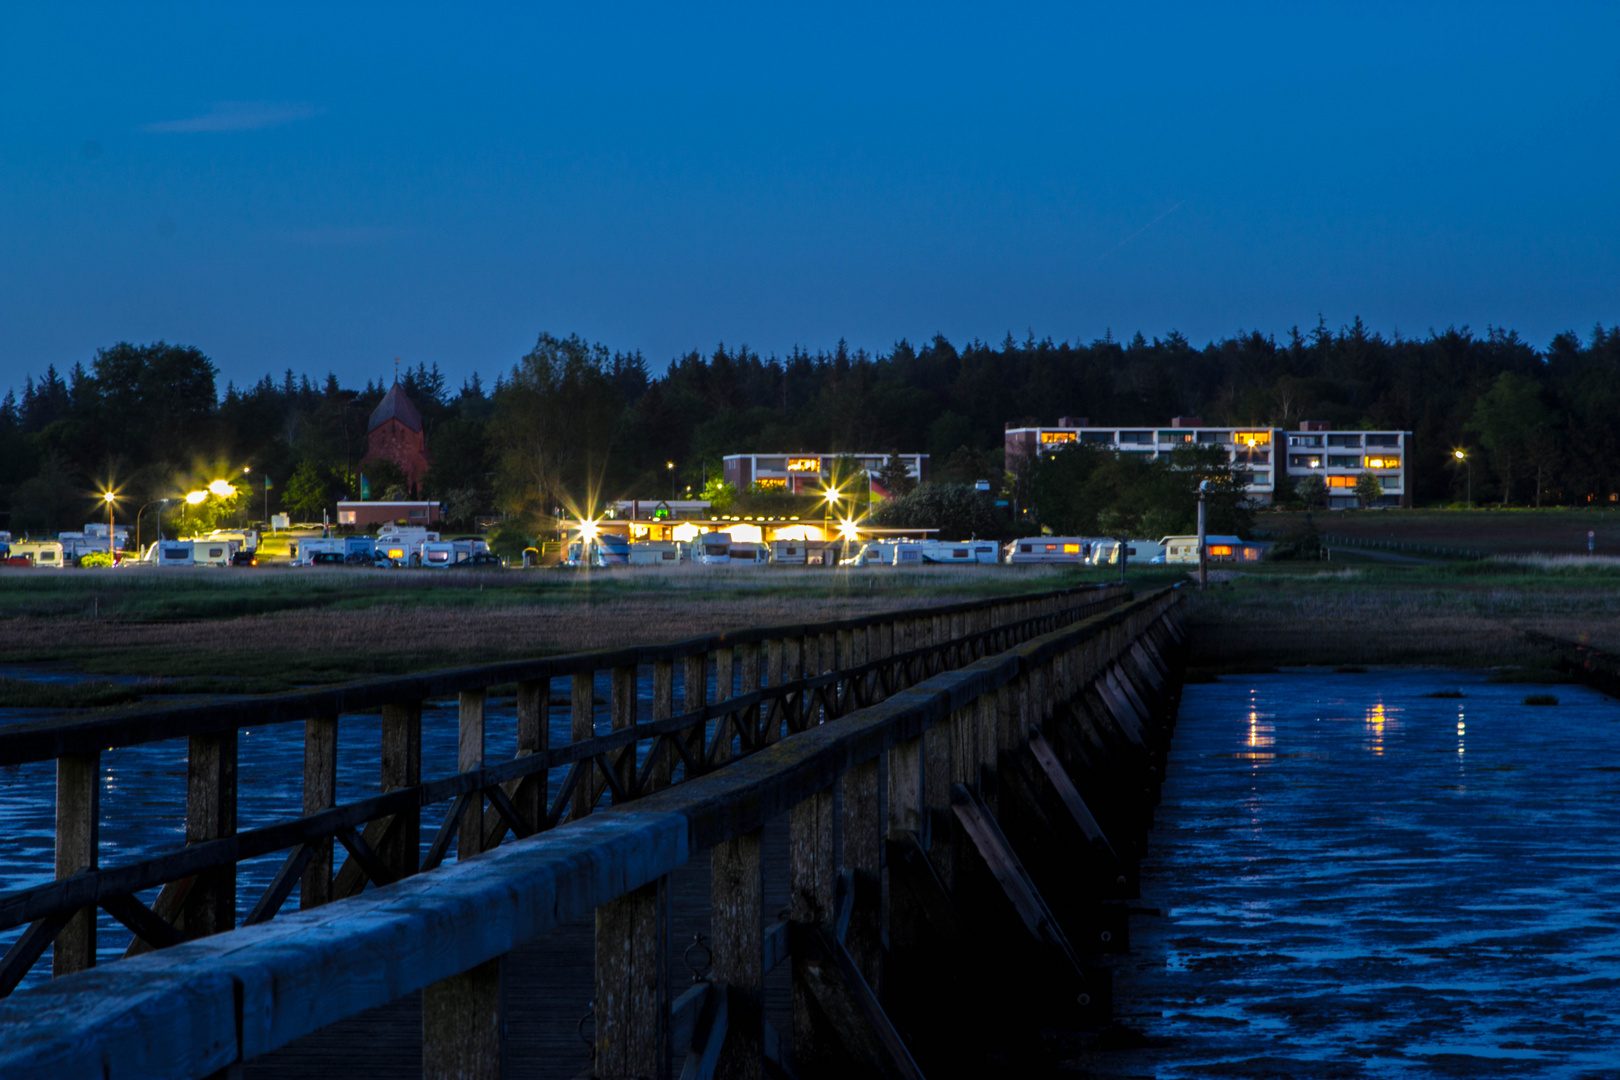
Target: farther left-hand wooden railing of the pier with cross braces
[[770, 682]]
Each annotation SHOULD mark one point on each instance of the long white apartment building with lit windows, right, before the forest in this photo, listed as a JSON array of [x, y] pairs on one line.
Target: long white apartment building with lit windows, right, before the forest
[[1261, 454]]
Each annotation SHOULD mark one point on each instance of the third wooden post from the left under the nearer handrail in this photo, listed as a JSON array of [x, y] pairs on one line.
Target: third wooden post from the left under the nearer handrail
[[738, 933]]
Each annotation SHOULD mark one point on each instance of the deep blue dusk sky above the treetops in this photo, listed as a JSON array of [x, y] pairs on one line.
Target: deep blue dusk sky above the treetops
[[328, 190]]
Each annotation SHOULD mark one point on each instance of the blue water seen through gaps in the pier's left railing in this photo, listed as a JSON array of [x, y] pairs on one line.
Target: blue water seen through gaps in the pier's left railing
[[145, 796]]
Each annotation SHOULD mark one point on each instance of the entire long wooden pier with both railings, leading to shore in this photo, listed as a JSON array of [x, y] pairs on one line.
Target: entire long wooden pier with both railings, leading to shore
[[885, 846]]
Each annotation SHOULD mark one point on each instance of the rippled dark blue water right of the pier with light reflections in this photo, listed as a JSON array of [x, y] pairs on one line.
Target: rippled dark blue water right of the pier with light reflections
[[1363, 882]]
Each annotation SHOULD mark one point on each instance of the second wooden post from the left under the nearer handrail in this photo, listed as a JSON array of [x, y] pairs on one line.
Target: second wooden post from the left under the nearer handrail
[[633, 984]]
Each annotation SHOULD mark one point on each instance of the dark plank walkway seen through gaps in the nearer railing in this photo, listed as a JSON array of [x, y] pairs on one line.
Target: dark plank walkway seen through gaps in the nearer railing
[[544, 1029]]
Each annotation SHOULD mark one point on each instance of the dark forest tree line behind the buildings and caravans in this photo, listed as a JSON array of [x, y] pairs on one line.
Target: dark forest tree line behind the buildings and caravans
[[574, 423]]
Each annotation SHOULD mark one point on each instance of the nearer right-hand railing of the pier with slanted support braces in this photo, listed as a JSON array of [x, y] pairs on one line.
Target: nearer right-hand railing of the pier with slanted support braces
[[900, 901]]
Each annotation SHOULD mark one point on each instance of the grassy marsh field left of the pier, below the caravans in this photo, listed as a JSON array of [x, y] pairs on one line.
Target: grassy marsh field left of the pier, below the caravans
[[258, 631]]
